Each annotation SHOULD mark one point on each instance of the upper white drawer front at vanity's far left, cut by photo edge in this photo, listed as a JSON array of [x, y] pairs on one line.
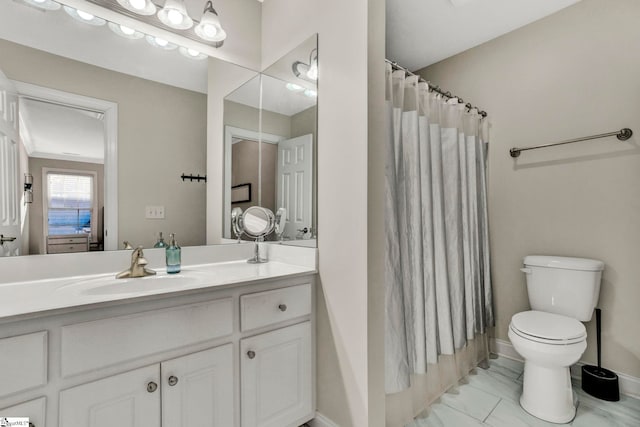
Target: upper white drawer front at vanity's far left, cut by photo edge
[[23, 362]]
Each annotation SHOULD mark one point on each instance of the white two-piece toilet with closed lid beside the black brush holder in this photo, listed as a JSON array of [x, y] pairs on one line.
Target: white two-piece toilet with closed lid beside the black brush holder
[[563, 292]]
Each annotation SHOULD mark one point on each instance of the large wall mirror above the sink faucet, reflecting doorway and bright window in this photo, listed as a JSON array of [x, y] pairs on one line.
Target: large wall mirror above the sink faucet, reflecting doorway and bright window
[[84, 93]]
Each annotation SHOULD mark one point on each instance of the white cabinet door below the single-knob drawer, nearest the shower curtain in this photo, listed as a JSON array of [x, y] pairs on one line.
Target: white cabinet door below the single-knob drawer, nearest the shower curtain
[[276, 377]]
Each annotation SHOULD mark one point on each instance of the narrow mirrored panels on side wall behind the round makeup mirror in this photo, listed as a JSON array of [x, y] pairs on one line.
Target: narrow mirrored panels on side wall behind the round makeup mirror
[[270, 136]]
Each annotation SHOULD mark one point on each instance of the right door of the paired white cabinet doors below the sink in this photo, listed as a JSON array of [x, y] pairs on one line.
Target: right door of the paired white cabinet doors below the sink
[[197, 389]]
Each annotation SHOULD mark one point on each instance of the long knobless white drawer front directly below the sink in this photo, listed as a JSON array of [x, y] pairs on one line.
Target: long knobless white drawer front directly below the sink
[[107, 342]]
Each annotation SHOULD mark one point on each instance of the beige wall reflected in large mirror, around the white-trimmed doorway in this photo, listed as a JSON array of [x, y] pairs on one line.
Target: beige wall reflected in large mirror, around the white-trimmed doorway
[[161, 134]]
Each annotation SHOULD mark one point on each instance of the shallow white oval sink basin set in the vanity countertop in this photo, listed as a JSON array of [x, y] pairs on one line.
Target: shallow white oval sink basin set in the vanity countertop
[[109, 285]]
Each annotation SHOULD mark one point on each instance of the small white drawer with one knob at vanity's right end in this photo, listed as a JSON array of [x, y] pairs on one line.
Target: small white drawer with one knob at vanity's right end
[[270, 307]]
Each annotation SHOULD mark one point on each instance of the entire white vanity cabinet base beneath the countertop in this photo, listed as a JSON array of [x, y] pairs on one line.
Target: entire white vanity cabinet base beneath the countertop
[[239, 355]]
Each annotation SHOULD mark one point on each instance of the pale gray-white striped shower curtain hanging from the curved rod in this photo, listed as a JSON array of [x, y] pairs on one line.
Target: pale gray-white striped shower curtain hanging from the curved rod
[[438, 294]]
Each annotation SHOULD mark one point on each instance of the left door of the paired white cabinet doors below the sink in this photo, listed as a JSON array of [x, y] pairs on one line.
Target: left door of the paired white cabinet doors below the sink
[[131, 399]]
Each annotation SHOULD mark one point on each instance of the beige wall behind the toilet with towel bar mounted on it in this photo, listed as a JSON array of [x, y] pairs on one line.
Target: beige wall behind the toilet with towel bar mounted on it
[[572, 74]]
